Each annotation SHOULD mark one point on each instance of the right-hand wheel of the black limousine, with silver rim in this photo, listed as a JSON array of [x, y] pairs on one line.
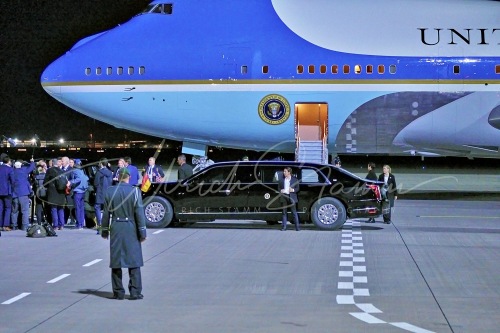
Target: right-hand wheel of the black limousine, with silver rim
[[328, 214]]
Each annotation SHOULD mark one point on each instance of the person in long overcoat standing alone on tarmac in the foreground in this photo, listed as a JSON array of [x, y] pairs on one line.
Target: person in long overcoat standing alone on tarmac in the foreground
[[124, 222]]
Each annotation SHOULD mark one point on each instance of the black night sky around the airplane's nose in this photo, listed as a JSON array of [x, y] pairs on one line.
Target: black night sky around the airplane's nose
[[33, 33]]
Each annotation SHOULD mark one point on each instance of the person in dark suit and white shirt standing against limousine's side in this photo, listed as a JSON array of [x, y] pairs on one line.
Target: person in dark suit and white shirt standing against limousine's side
[[288, 186]]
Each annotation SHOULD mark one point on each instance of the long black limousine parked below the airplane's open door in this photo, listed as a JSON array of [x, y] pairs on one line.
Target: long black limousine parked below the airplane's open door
[[248, 190]]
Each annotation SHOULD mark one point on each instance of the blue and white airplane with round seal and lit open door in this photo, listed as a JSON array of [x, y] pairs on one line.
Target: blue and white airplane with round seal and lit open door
[[398, 77]]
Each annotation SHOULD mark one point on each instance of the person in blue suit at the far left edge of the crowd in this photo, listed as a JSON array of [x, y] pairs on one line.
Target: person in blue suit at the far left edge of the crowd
[[6, 186]]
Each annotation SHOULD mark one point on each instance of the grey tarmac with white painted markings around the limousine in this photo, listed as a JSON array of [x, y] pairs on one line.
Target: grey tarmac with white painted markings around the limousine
[[434, 269]]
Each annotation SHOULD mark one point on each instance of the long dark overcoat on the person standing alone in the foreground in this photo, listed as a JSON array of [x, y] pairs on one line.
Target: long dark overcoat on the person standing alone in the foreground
[[124, 222]]
